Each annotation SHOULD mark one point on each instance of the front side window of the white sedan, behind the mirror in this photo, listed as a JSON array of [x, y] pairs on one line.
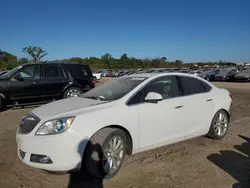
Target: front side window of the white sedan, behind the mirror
[[166, 86]]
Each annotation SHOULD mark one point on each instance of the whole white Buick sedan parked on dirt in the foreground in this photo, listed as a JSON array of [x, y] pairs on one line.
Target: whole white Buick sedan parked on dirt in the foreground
[[127, 115]]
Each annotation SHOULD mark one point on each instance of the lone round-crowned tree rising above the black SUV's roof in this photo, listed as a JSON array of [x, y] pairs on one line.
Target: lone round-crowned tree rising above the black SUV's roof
[[36, 53]]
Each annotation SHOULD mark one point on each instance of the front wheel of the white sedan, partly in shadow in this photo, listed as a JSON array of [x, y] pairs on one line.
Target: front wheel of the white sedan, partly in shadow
[[104, 154]]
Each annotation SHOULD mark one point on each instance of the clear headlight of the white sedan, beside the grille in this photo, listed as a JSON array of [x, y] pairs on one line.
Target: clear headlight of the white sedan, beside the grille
[[55, 126]]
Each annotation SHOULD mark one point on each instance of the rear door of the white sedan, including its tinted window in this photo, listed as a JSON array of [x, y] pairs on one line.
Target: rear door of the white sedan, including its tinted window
[[197, 103]]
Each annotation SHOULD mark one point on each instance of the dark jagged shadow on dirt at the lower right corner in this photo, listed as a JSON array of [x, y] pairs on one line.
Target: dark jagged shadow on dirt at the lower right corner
[[237, 164]]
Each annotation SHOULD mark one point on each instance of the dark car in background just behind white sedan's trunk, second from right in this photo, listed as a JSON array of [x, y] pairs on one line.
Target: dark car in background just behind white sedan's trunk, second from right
[[226, 74]]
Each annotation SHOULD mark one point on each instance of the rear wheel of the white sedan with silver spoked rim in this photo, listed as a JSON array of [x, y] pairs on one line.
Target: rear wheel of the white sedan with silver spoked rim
[[219, 125]]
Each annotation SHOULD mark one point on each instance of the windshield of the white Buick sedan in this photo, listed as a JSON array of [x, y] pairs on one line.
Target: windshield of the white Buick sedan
[[114, 89]]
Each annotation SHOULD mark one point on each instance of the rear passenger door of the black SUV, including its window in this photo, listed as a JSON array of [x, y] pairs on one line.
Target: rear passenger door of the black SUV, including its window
[[53, 80]]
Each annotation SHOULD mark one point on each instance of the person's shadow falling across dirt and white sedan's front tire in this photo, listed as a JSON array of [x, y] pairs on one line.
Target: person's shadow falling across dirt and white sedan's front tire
[[82, 179]]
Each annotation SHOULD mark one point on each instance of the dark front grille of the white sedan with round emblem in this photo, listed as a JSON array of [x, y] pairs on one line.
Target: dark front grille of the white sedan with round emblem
[[28, 123]]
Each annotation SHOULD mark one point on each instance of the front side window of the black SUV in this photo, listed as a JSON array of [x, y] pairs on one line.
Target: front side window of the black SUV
[[31, 71]]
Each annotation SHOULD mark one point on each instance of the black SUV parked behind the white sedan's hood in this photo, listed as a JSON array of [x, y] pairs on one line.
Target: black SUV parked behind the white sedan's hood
[[31, 83]]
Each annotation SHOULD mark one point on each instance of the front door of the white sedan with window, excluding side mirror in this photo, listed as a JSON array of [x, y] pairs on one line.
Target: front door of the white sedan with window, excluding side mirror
[[160, 123]]
